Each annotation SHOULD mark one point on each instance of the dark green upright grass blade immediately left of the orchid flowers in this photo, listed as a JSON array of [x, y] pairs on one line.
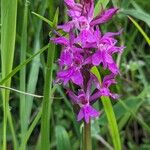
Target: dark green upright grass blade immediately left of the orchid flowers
[[46, 108]]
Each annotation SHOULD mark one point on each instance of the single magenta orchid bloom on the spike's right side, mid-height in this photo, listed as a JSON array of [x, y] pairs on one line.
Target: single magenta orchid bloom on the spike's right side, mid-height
[[105, 46]]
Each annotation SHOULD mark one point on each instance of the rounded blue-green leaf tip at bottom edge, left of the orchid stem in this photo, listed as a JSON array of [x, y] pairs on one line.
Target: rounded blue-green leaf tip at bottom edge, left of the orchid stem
[[62, 138]]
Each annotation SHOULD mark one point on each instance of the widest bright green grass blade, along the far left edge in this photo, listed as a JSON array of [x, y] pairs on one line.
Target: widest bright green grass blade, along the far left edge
[[8, 17]]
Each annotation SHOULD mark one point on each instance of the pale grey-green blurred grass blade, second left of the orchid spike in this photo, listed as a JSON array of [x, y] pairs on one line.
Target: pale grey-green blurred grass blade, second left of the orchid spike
[[34, 71]]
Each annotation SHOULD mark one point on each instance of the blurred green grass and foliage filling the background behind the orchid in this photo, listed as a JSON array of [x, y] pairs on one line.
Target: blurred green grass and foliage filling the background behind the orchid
[[132, 110]]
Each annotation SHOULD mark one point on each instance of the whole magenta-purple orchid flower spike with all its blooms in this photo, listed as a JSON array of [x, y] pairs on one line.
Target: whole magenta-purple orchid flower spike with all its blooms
[[84, 47]]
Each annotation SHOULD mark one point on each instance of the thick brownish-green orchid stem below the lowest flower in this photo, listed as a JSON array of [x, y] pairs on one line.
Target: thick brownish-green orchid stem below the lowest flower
[[87, 142]]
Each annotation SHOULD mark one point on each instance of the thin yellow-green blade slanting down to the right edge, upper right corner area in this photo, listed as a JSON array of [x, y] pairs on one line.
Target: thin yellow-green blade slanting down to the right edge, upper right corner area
[[140, 29]]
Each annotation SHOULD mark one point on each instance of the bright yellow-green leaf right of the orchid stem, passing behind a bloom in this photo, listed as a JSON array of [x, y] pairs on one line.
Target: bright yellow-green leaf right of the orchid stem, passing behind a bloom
[[108, 108]]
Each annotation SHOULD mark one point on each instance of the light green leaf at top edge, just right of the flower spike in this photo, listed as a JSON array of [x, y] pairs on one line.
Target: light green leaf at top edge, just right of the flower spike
[[99, 5]]
